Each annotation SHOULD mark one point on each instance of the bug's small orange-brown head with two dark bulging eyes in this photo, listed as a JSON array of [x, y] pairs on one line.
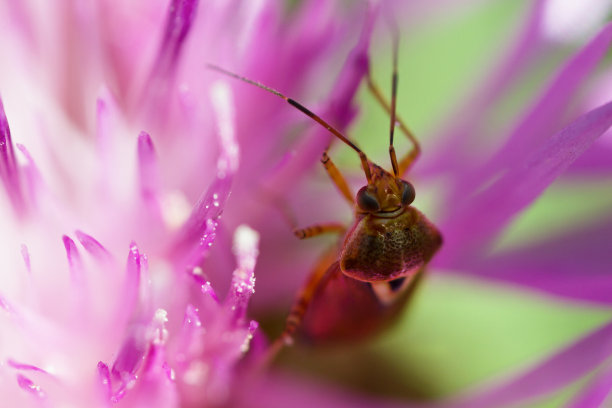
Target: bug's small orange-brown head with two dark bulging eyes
[[386, 193]]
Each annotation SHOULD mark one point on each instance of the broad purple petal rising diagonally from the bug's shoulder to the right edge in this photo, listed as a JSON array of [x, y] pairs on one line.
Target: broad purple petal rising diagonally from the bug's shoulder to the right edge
[[488, 212]]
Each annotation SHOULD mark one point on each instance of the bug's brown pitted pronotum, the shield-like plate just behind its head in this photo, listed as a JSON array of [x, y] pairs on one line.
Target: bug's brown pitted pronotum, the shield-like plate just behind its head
[[380, 249]]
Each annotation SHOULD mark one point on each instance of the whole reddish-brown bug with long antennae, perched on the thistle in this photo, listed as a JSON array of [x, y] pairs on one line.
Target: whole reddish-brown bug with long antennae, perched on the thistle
[[361, 287]]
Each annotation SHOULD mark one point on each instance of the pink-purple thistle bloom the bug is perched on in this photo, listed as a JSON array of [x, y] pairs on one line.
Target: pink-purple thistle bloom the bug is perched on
[[116, 143]]
